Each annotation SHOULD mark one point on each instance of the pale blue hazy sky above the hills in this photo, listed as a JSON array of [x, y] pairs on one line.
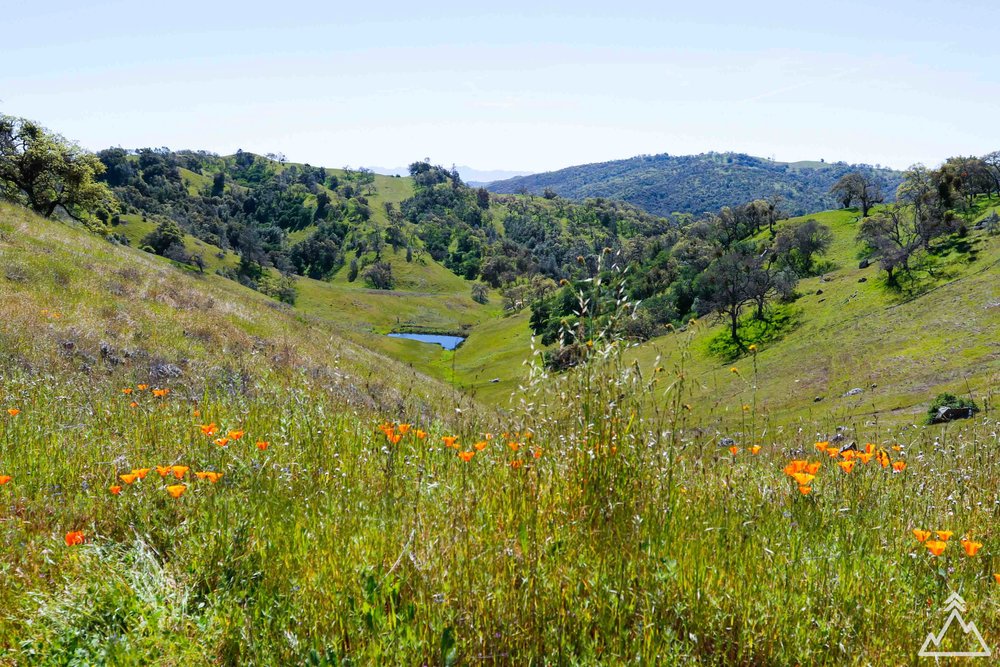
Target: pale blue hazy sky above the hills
[[511, 85]]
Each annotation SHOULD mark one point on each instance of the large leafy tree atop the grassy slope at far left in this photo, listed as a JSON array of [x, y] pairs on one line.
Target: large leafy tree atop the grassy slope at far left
[[45, 172]]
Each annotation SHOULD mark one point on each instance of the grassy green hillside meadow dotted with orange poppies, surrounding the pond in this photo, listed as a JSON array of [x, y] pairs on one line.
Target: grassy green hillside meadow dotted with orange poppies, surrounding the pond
[[599, 517]]
